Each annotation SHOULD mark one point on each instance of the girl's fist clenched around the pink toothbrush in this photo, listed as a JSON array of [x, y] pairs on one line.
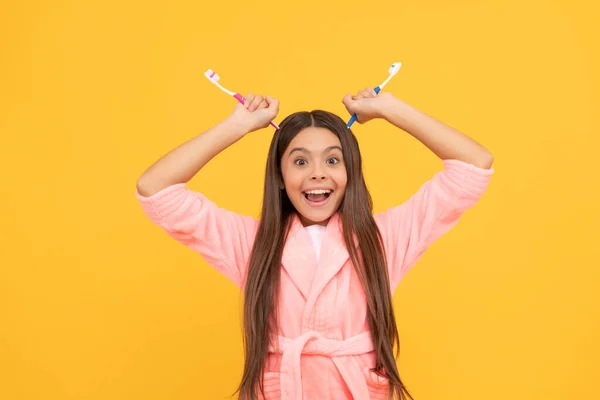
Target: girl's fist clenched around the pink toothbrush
[[256, 113]]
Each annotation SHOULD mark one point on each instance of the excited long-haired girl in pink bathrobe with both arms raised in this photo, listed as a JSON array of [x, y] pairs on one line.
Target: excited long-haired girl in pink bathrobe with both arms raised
[[318, 269]]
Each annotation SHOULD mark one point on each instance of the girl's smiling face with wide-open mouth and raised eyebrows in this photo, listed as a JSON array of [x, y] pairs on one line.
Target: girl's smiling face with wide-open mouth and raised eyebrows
[[314, 160]]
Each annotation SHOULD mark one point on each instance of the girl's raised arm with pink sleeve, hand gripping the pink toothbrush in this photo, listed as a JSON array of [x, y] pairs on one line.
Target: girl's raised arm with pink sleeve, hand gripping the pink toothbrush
[[222, 237]]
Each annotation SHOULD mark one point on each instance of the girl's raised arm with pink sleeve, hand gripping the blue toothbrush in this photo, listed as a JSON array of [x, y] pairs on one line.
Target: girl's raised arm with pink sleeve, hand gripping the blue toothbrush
[[410, 228]]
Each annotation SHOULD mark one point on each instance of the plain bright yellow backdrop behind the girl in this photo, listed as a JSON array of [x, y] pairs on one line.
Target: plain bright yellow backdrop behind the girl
[[98, 303]]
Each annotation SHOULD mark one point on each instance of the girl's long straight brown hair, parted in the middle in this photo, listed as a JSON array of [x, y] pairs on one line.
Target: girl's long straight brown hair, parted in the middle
[[261, 287]]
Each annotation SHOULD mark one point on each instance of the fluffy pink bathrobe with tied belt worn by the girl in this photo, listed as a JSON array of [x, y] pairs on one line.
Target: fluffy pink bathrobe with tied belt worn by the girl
[[325, 349]]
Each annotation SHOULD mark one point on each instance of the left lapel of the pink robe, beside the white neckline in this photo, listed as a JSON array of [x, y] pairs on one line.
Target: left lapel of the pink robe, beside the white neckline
[[299, 258]]
